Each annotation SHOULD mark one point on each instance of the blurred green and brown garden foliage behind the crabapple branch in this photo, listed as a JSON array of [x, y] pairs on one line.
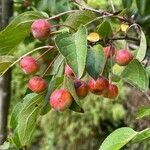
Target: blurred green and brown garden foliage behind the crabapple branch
[[69, 130]]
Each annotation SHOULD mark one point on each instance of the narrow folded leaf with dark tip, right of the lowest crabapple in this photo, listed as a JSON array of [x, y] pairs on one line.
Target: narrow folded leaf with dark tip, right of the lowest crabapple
[[75, 105]]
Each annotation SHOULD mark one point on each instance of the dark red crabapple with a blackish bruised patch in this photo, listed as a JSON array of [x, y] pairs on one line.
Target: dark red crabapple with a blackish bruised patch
[[81, 88]]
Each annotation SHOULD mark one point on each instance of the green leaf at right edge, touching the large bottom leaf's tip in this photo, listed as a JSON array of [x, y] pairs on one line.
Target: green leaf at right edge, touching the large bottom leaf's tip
[[142, 136]]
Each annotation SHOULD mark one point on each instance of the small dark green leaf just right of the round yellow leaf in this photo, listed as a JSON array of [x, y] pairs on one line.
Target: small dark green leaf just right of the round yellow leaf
[[104, 29]]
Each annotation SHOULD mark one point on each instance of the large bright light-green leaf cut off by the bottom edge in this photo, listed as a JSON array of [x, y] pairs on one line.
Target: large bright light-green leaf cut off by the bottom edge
[[118, 139]]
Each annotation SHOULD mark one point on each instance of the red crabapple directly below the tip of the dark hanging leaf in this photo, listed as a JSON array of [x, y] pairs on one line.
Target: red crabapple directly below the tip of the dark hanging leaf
[[99, 86]]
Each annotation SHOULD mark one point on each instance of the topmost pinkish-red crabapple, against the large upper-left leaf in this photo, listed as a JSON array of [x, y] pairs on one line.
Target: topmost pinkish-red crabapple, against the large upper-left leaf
[[40, 29]]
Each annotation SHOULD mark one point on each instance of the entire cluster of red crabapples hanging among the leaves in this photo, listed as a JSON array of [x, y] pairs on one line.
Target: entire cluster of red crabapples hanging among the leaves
[[62, 99]]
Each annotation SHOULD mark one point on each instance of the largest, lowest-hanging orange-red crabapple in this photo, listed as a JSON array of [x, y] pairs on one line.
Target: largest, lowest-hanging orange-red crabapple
[[60, 99]]
